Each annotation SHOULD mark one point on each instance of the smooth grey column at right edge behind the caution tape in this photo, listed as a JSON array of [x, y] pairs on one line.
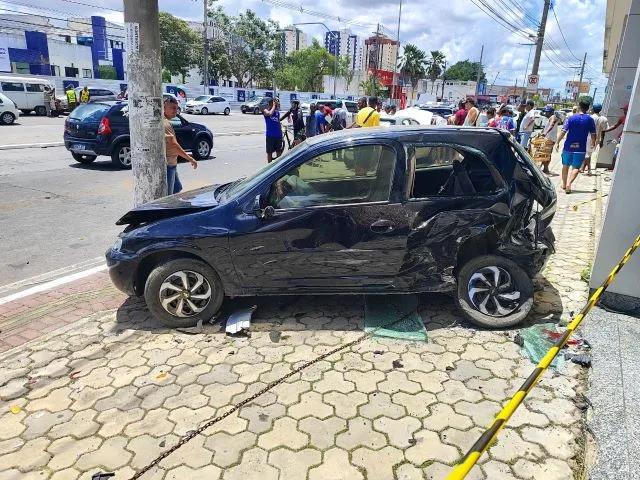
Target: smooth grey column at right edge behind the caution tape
[[622, 223]]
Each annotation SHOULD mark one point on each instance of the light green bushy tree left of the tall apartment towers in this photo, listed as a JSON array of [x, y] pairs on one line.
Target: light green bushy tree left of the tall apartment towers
[[304, 69]]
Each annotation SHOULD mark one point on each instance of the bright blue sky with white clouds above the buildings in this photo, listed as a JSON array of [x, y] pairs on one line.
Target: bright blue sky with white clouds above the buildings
[[457, 27]]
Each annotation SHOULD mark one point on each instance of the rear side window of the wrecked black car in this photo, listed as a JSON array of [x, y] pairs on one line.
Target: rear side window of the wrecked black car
[[447, 171]]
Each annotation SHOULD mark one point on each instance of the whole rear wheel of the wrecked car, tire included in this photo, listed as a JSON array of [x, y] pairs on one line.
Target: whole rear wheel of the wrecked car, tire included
[[512, 281]]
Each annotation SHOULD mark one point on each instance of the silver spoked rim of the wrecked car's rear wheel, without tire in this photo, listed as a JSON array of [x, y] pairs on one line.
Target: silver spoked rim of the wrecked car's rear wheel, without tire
[[493, 292]]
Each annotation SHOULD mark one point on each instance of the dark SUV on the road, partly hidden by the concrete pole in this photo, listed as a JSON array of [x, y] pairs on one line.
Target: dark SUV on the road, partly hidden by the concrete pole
[[102, 128]]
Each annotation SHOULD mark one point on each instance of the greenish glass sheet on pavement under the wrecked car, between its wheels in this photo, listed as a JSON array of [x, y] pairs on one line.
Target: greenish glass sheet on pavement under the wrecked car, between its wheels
[[380, 310]]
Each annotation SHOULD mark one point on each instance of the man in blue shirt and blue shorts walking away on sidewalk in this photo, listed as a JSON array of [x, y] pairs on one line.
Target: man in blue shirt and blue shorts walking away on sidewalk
[[578, 128]]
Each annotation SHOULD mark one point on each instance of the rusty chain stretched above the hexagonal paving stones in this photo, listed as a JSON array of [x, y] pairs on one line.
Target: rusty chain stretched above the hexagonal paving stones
[[186, 438]]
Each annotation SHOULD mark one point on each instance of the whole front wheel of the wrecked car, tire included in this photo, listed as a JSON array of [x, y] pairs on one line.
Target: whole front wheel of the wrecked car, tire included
[[175, 273]]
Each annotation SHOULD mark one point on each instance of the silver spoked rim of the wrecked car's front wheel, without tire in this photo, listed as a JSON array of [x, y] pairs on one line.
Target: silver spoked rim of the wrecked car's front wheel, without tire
[[185, 293]]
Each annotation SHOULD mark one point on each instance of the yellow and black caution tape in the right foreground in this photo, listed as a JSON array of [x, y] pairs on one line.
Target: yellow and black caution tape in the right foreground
[[491, 433]]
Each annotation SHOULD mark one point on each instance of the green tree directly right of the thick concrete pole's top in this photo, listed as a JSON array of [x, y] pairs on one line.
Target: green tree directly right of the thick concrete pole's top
[[177, 45]]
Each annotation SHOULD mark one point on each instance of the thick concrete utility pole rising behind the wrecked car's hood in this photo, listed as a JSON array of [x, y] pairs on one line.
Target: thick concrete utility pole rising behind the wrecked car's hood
[[142, 36]]
